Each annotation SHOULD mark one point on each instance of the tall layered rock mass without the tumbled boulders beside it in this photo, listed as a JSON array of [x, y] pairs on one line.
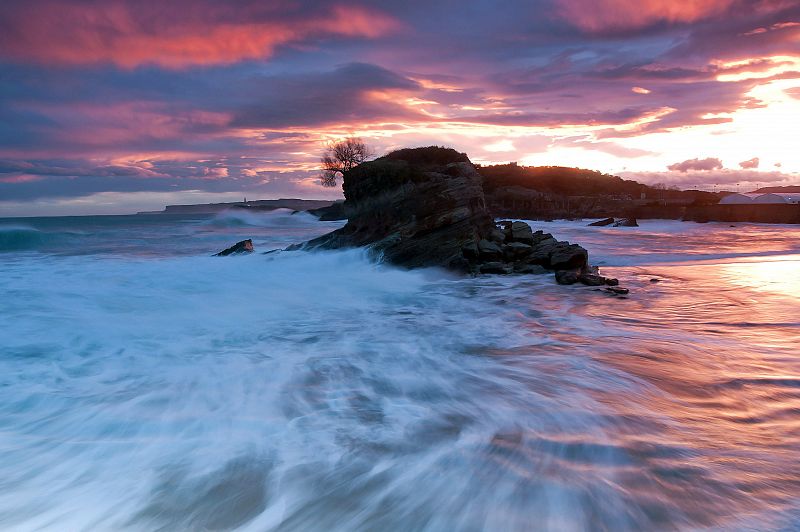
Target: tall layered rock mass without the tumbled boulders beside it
[[415, 208]]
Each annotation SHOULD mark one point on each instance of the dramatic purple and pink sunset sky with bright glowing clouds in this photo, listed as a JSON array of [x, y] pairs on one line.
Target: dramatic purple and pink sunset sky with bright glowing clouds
[[115, 106]]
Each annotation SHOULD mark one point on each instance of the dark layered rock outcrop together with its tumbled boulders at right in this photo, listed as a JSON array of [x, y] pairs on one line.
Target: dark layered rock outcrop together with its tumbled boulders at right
[[425, 207]]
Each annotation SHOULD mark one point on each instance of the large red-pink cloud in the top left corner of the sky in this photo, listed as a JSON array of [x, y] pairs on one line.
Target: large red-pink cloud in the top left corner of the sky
[[168, 35]]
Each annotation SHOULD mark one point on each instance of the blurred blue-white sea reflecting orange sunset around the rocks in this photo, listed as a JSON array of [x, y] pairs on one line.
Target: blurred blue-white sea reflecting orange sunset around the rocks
[[147, 385]]
